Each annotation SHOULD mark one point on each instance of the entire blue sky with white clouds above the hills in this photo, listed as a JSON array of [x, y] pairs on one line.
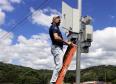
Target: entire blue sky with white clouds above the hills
[[26, 42]]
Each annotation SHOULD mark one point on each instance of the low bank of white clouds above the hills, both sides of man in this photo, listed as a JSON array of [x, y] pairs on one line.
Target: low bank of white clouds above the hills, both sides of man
[[35, 52]]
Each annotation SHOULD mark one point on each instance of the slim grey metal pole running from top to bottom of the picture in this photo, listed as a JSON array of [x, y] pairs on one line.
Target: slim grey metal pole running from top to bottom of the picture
[[78, 54]]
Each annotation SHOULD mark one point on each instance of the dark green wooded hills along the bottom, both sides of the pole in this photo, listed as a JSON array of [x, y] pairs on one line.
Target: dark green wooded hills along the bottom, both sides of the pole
[[13, 74]]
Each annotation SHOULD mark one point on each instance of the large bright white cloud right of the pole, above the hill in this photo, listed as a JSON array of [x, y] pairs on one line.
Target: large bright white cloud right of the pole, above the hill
[[102, 51]]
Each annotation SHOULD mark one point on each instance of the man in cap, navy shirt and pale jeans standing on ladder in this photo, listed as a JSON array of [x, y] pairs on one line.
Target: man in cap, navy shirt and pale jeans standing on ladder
[[57, 46]]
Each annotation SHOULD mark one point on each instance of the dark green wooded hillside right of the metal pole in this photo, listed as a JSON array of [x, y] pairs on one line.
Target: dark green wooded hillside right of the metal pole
[[99, 73]]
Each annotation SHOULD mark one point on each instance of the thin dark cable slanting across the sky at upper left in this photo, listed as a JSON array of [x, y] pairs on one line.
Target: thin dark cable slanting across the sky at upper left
[[22, 21]]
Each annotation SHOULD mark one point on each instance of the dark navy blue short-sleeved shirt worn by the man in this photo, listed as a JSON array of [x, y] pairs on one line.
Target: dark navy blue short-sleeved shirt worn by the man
[[55, 29]]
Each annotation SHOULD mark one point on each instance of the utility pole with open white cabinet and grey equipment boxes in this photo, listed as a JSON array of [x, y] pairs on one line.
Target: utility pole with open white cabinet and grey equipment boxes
[[80, 31]]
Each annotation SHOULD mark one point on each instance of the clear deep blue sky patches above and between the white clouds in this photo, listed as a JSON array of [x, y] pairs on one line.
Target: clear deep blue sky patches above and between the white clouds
[[103, 13]]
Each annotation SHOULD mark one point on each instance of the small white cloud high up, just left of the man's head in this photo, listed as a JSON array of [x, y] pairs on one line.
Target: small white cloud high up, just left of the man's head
[[43, 17]]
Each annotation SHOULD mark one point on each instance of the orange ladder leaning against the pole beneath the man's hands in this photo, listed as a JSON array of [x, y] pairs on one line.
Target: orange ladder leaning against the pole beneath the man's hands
[[66, 62]]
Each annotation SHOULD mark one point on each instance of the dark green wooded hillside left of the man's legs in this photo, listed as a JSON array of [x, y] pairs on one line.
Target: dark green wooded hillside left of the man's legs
[[22, 75]]
